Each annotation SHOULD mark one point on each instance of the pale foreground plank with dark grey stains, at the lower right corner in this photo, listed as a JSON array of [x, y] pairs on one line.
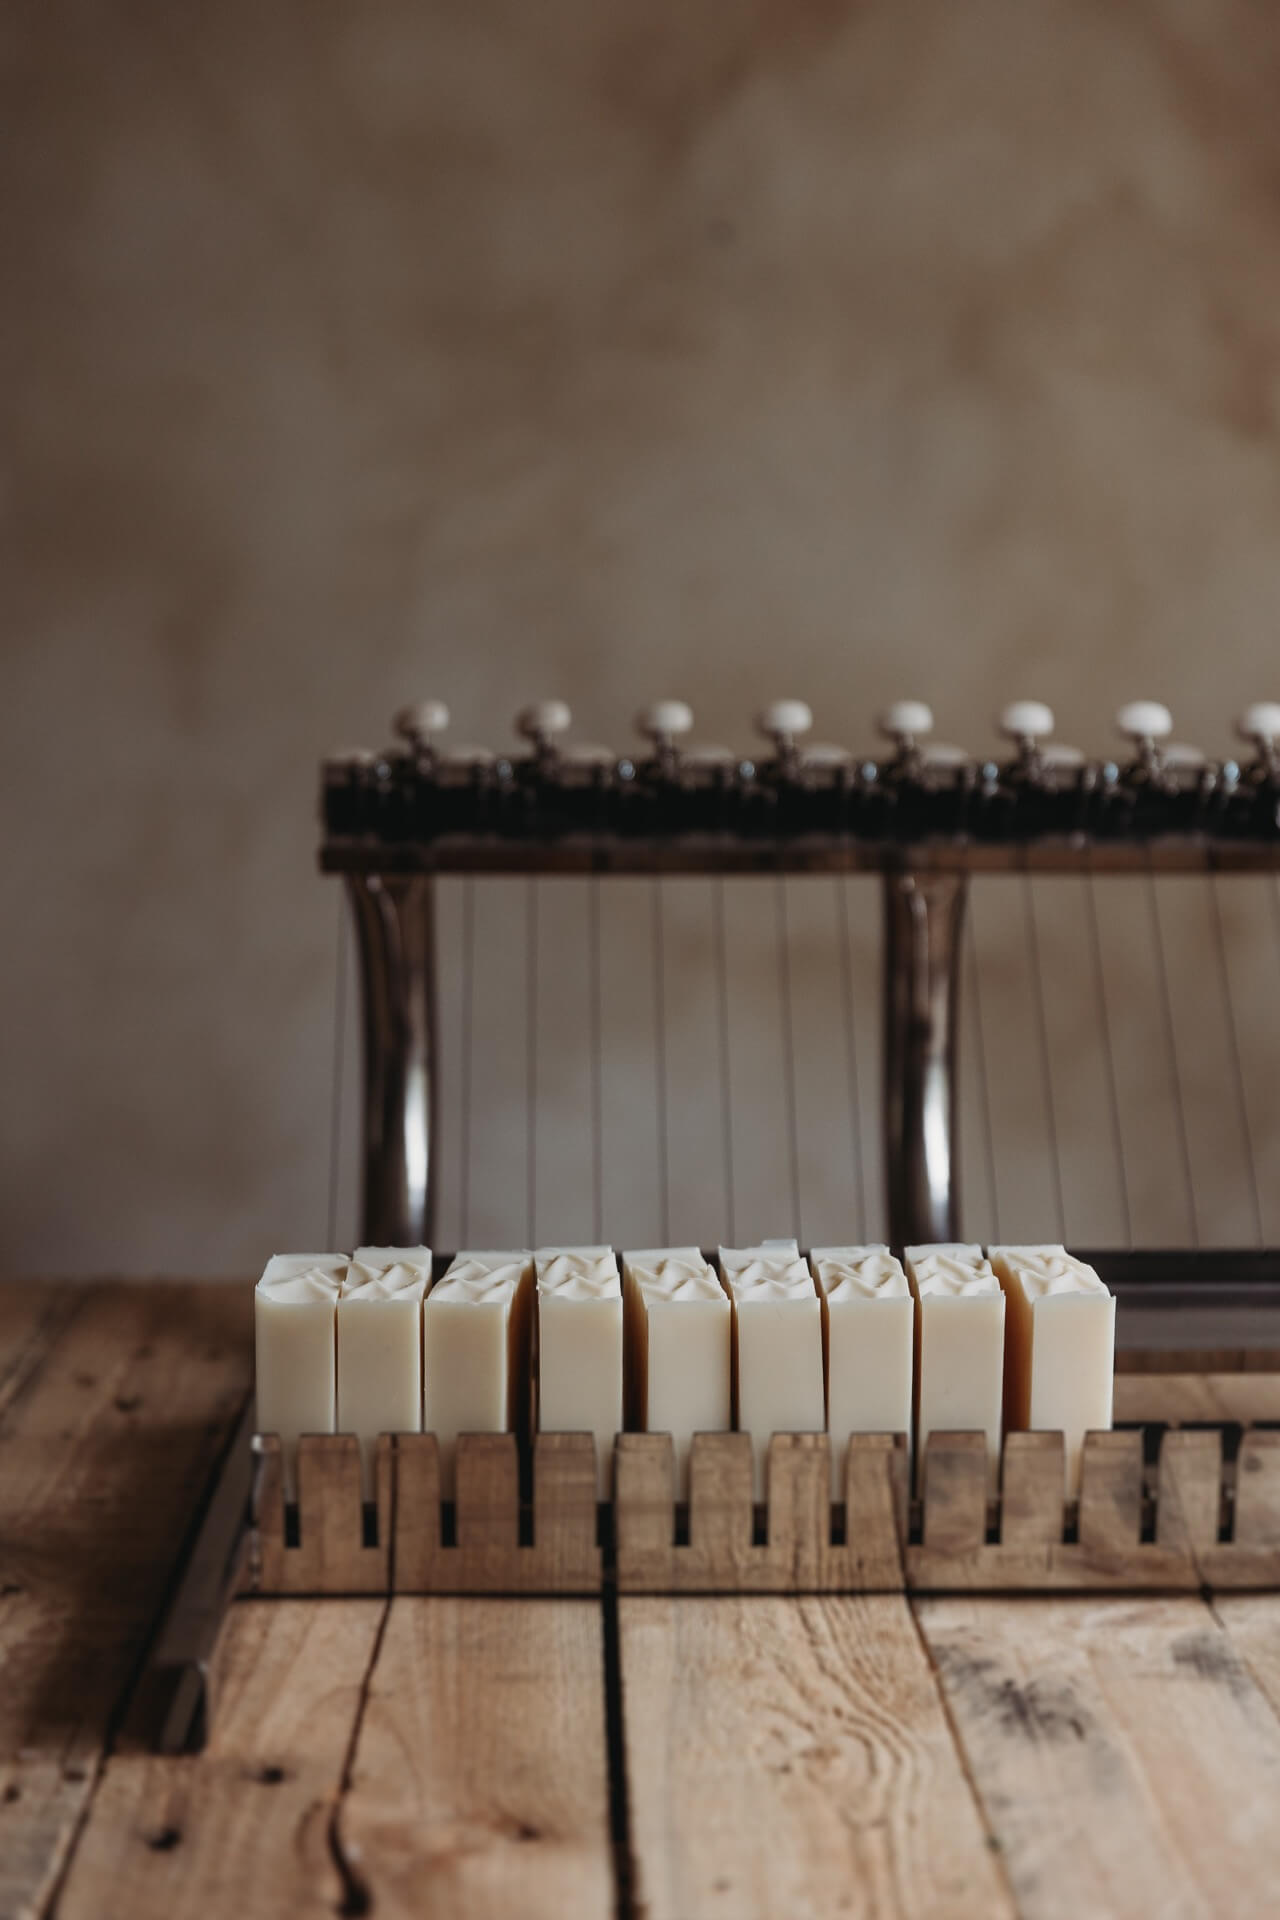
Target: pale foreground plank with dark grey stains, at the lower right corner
[[1124, 1756]]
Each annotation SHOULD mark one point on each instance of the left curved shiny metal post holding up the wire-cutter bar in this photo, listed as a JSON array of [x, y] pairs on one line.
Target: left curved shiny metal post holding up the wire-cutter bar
[[394, 924]]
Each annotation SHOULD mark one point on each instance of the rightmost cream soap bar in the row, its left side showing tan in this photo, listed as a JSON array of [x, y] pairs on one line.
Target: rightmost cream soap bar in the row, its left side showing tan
[[1060, 1347]]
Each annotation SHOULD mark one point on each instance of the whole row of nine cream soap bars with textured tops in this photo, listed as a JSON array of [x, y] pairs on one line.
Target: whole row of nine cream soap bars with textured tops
[[567, 1341]]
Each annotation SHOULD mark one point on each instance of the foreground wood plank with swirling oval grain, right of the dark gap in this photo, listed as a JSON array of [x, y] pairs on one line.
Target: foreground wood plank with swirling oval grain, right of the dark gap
[[792, 1758]]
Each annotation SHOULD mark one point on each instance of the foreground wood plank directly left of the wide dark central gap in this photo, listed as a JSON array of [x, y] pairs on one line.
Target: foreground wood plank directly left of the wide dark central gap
[[481, 1781]]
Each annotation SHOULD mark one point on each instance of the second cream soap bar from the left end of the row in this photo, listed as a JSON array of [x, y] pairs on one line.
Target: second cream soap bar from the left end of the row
[[381, 1347]]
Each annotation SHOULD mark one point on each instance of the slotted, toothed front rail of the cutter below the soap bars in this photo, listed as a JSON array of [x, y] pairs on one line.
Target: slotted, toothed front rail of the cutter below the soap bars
[[1197, 1522]]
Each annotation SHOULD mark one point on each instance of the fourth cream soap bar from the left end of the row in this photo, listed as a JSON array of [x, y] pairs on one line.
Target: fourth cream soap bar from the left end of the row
[[581, 1349]]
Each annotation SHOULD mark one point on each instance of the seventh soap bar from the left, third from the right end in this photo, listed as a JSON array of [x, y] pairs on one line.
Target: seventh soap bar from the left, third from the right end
[[870, 1341]]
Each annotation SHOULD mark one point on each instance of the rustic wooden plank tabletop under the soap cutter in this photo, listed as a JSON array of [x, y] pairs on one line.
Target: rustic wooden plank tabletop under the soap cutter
[[575, 1758]]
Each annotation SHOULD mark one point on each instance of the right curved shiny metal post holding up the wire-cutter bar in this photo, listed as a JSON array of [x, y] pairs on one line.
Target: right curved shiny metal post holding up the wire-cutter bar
[[924, 919]]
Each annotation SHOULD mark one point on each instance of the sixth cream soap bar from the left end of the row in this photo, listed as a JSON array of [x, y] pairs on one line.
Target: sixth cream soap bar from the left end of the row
[[776, 1347]]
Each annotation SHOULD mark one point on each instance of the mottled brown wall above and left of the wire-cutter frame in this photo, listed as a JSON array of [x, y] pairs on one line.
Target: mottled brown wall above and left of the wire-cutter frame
[[356, 354]]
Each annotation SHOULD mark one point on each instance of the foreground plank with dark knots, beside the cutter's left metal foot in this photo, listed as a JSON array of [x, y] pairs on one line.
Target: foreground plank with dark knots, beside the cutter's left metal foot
[[249, 1829]]
